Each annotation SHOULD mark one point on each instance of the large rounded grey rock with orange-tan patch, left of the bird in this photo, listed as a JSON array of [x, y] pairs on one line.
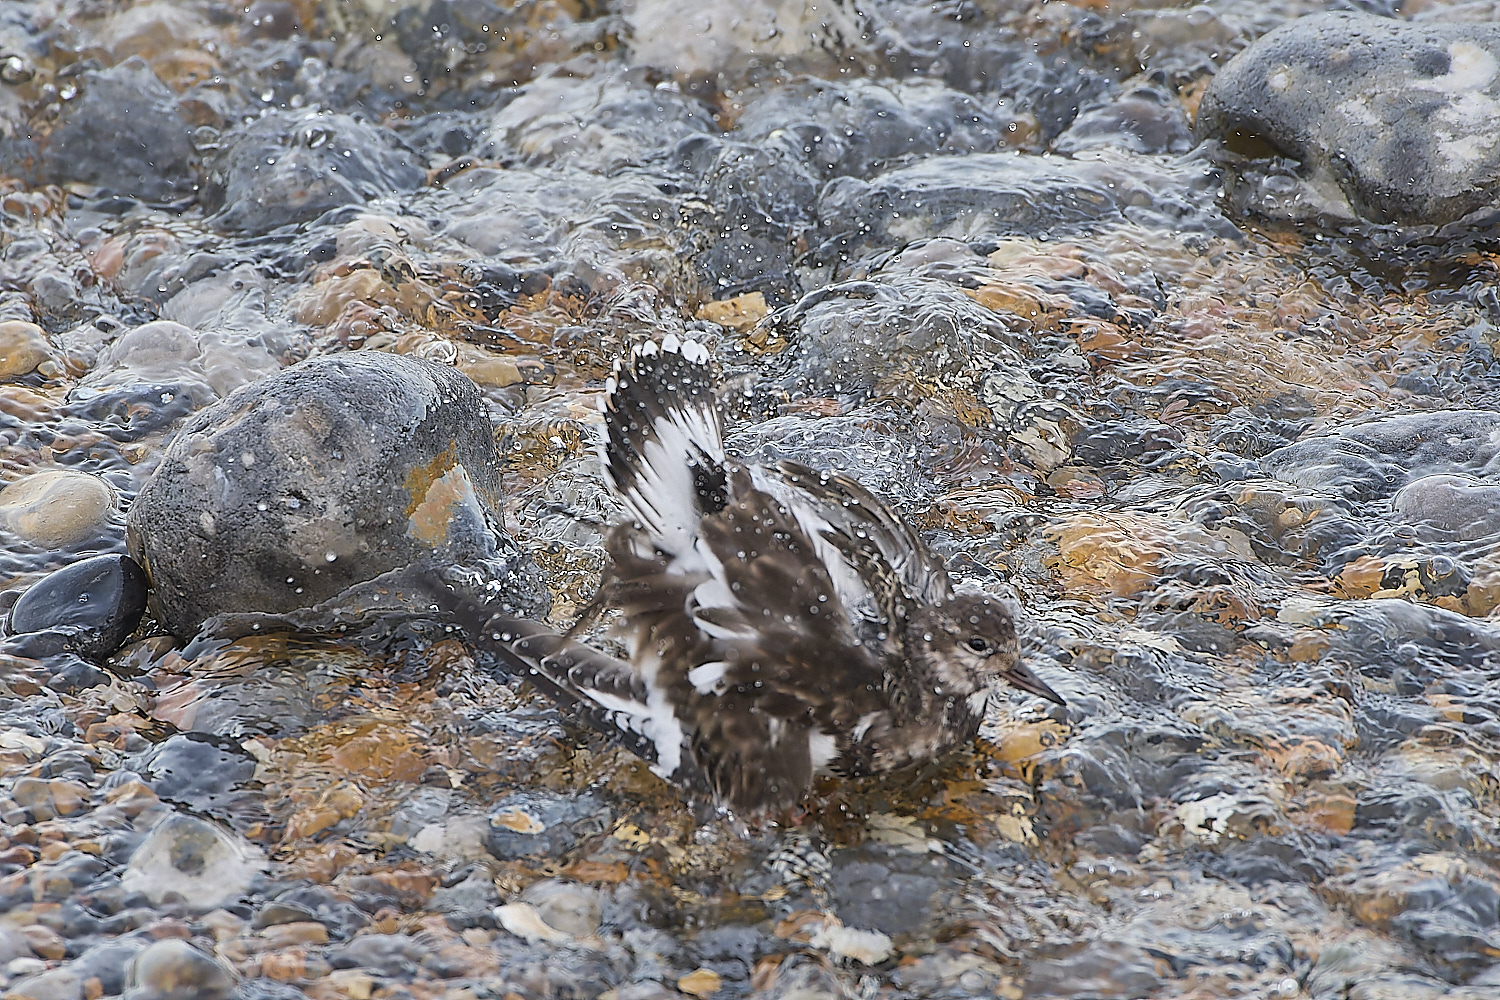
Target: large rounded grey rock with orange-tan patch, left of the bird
[[322, 478]]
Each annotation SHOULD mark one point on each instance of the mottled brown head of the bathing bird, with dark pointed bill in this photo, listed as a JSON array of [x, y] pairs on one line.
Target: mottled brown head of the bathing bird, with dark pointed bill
[[971, 642]]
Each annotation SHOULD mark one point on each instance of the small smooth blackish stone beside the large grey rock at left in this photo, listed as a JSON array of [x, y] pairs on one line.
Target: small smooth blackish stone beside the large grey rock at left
[[95, 603]]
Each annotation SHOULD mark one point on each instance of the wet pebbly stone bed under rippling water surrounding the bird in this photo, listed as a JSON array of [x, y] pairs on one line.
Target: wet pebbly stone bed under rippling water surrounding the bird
[[1223, 415]]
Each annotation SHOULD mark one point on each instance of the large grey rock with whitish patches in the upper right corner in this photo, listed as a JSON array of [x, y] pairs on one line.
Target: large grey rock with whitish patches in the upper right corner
[[1403, 119]]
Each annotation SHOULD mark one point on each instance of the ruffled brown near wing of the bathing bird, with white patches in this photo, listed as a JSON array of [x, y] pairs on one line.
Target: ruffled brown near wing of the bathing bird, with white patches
[[754, 650]]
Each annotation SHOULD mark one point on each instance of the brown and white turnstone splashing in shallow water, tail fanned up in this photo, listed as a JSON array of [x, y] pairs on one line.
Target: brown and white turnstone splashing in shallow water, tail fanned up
[[779, 621]]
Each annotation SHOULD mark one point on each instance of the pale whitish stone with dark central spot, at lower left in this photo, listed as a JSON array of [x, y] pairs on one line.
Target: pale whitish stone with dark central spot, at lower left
[[199, 863]]
